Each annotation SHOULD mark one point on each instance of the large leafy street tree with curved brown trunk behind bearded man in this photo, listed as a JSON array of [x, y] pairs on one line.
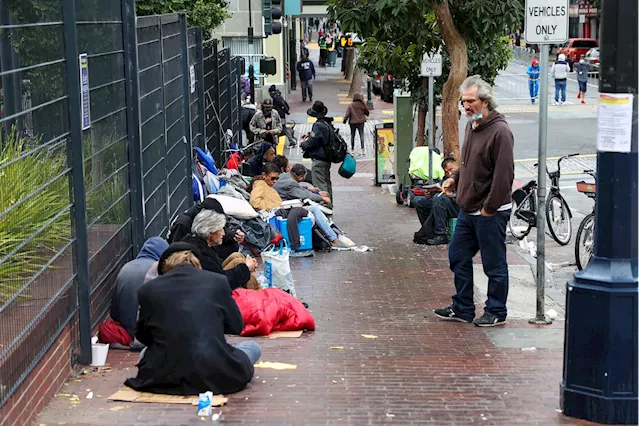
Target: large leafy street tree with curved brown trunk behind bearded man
[[470, 34]]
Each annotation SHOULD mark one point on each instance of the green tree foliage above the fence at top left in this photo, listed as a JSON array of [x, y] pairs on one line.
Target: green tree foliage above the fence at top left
[[207, 14]]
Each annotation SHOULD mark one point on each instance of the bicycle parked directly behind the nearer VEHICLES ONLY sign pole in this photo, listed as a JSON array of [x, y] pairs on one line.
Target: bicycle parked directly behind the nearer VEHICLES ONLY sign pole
[[557, 210]]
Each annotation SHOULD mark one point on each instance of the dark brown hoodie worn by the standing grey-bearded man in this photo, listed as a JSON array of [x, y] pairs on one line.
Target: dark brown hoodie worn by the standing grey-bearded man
[[485, 177]]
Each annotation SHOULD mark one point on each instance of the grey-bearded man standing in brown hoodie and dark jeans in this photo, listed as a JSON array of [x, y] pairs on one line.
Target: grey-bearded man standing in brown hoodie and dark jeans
[[483, 185]]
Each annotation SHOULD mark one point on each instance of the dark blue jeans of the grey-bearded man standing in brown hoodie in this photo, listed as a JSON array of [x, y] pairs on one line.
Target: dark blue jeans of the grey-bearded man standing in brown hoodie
[[487, 235]]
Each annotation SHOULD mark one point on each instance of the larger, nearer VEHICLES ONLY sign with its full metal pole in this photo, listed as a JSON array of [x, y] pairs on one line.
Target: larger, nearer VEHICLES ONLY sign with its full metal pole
[[546, 22]]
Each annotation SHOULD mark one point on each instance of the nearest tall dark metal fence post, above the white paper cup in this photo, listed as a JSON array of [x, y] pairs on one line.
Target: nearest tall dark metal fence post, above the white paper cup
[[78, 190]]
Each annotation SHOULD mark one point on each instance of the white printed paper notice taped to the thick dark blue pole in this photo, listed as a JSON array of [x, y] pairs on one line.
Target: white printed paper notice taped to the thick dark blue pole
[[615, 122]]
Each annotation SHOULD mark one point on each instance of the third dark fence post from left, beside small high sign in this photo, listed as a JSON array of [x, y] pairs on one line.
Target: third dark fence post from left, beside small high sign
[[186, 86]]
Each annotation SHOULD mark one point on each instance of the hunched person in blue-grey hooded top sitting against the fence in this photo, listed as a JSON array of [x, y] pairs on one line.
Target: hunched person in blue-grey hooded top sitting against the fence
[[124, 304]]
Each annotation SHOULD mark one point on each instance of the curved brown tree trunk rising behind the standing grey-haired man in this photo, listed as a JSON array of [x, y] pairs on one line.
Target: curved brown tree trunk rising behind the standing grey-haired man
[[457, 49]]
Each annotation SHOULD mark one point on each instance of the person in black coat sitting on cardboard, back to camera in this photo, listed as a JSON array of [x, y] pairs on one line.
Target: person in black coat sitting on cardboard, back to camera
[[184, 315]]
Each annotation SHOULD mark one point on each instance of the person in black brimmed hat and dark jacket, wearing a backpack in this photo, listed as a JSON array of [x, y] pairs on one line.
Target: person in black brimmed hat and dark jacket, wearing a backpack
[[314, 146]]
